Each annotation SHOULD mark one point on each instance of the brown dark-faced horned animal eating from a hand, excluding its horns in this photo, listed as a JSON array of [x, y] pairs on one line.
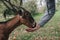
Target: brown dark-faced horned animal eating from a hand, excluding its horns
[[8, 26]]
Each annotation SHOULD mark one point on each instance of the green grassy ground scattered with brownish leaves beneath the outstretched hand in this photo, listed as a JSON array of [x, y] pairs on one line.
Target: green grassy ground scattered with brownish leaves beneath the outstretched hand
[[51, 31]]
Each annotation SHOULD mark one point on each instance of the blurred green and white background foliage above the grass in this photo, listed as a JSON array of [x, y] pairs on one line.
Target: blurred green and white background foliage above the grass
[[33, 6]]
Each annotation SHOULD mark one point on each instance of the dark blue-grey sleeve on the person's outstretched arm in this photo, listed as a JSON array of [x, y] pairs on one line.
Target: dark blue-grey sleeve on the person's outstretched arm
[[49, 13]]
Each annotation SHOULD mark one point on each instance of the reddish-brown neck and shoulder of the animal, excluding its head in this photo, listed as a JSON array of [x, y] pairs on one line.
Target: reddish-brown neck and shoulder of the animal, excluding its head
[[7, 27]]
